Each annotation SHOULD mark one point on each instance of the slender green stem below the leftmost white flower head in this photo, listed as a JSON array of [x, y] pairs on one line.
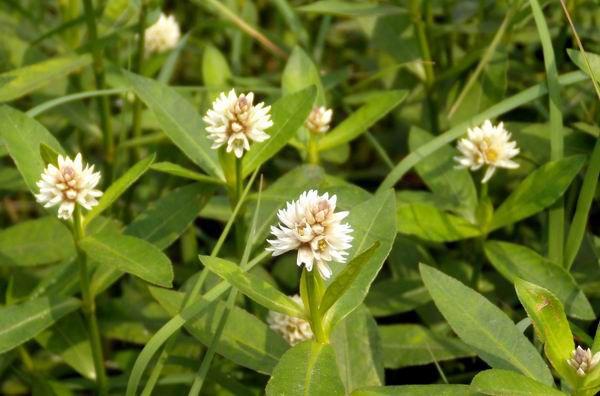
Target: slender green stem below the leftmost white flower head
[[89, 306]]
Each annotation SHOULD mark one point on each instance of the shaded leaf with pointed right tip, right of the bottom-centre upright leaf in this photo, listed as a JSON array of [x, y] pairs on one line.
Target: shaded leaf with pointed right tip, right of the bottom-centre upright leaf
[[406, 345]]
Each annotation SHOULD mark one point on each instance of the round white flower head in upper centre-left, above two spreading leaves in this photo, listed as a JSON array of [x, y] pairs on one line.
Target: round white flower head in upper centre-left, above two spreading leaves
[[235, 121]]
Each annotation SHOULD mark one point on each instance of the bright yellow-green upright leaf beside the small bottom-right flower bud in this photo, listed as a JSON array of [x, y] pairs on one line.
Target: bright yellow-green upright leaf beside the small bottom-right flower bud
[[551, 324]]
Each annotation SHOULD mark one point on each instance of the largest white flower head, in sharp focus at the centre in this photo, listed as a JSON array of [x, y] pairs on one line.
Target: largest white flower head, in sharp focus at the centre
[[311, 226]]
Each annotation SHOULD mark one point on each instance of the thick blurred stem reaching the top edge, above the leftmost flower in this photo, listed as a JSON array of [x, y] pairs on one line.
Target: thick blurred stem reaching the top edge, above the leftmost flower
[[99, 77]]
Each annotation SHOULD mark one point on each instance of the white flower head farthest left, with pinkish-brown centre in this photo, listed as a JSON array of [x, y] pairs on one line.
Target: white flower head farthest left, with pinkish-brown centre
[[68, 184]]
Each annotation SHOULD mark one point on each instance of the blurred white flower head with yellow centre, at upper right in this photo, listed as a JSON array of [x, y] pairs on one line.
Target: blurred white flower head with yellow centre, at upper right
[[487, 145]]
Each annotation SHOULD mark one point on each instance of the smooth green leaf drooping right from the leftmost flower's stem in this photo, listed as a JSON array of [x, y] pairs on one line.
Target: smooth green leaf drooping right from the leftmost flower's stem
[[131, 255]]
